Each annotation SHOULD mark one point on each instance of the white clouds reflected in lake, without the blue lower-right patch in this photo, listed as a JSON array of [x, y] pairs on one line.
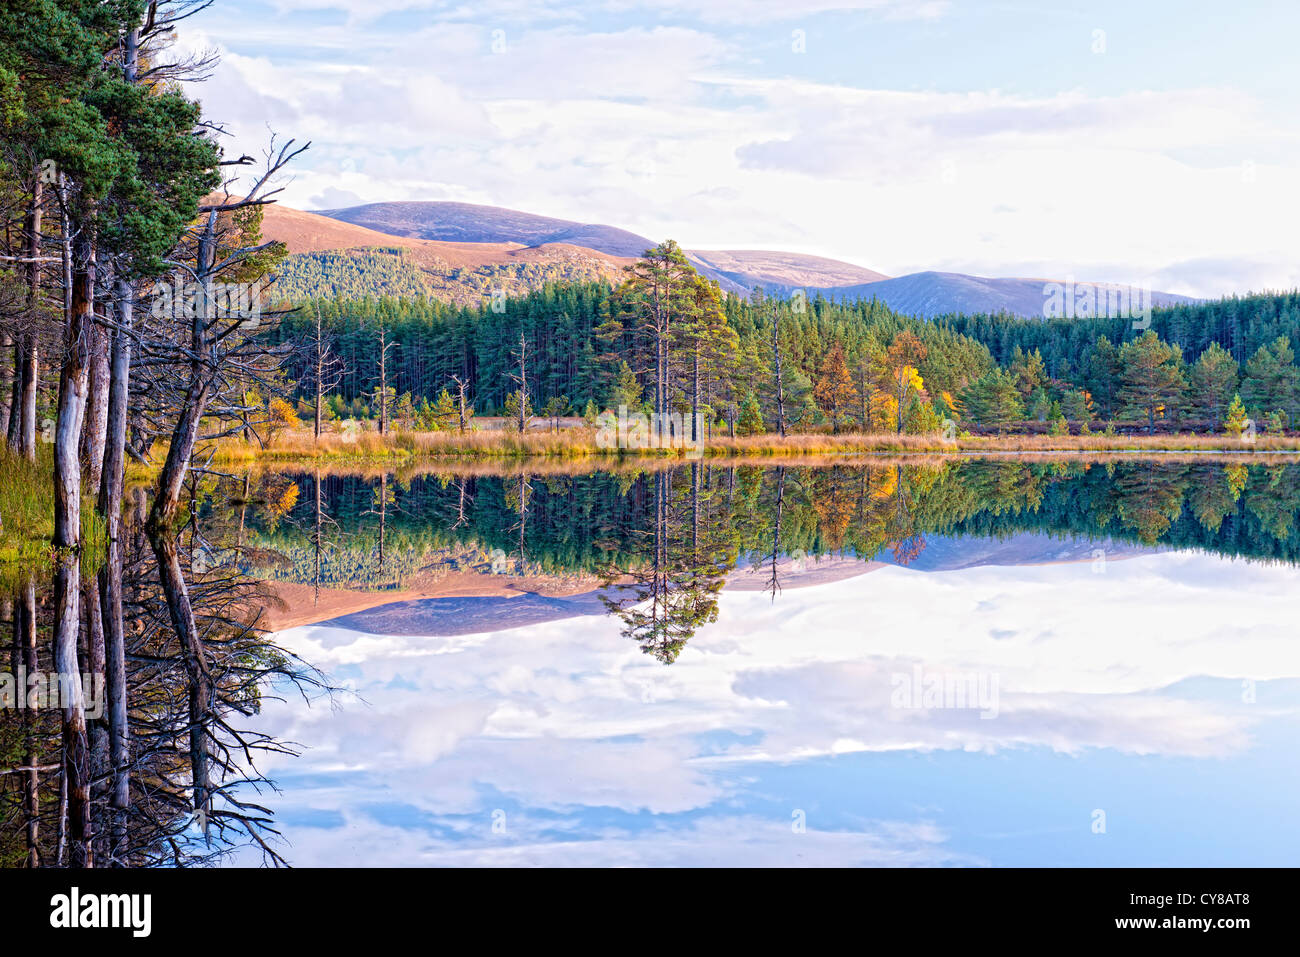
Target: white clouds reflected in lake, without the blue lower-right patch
[[630, 763]]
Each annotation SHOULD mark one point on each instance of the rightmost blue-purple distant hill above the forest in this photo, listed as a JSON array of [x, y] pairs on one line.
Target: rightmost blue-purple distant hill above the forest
[[935, 295]]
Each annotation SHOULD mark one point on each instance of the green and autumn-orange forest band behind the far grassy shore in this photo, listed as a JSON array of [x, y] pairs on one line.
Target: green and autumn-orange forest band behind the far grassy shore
[[668, 340]]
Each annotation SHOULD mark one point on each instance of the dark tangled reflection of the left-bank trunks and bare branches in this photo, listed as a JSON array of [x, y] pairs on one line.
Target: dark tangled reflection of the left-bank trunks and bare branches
[[127, 733]]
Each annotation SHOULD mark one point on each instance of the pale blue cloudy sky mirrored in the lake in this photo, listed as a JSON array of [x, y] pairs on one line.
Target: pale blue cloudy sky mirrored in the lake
[[778, 737]]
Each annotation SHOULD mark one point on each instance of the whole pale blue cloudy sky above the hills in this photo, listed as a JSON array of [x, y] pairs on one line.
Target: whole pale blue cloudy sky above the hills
[[1154, 144]]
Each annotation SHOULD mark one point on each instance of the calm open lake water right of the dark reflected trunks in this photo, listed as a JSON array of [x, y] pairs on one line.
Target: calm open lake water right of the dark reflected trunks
[[1119, 647]]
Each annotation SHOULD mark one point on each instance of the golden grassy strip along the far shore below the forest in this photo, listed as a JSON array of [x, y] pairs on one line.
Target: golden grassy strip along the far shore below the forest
[[580, 444]]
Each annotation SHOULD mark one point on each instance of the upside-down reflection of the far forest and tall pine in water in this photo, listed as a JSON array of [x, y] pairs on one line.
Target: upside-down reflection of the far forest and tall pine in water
[[657, 547]]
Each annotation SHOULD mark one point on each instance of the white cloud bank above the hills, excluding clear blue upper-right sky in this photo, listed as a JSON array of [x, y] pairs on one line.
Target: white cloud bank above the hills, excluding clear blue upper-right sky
[[675, 132]]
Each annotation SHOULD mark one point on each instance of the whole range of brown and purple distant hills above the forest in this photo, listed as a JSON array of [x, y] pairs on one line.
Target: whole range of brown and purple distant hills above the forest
[[465, 250]]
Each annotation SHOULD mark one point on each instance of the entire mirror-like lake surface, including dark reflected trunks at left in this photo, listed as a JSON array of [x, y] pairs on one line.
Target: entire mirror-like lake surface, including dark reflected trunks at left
[[506, 633]]
